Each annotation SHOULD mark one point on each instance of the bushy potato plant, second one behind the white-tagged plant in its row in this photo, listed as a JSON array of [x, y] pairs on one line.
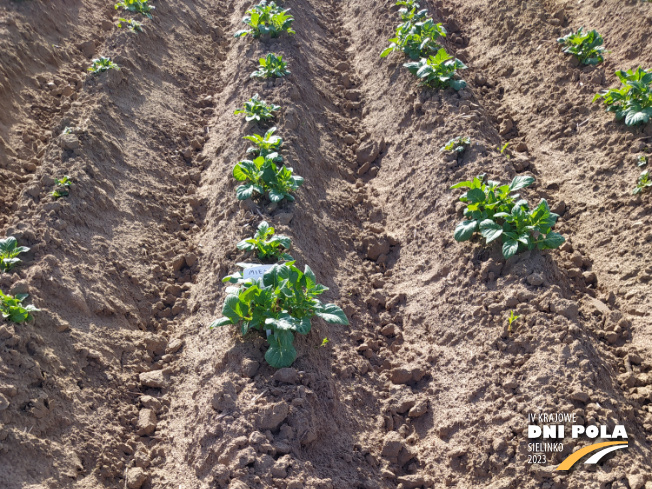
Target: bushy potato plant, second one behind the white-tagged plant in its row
[[263, 178]]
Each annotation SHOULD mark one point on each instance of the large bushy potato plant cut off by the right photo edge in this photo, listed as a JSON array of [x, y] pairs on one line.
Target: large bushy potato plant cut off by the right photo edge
[[633, 101]]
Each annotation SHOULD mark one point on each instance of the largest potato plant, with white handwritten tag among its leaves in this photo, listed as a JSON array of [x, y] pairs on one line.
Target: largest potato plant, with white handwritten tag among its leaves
[[280, 303]]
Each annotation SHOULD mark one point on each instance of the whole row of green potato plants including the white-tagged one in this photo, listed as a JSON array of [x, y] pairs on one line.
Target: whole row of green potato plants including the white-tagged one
[[282, 299]]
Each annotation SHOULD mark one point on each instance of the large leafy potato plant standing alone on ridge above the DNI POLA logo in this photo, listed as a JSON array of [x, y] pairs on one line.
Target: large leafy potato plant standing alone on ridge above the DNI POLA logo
[[494, 211]]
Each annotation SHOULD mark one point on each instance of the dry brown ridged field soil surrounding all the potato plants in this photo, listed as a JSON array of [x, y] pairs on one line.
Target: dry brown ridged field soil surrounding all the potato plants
[[119, 383]]
